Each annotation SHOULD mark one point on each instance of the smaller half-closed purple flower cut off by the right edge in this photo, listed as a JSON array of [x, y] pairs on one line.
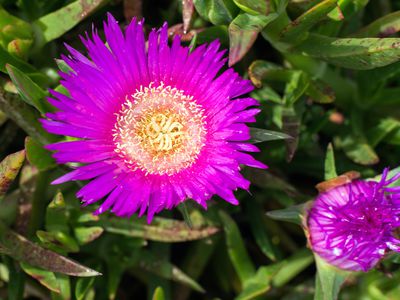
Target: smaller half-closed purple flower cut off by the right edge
[[351, 226]]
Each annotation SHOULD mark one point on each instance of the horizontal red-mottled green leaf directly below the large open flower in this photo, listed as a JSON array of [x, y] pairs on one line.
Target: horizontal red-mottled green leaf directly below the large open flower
[[161, 229]]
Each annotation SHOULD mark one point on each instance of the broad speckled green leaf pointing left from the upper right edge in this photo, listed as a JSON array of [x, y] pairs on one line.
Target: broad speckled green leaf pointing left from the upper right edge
[[352, 53]]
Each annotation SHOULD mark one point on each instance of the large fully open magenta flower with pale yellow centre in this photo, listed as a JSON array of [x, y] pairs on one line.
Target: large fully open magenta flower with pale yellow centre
[[156, 124]]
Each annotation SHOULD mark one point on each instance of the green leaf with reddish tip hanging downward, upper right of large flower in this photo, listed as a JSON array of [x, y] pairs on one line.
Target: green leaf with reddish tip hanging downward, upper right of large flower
[[243, 32]]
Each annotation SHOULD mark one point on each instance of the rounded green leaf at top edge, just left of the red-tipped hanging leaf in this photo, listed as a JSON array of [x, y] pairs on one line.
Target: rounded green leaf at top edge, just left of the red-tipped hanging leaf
[[218, 12]]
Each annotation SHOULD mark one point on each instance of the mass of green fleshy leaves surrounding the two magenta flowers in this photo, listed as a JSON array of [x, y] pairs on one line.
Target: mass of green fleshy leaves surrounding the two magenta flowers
[[325, 72]]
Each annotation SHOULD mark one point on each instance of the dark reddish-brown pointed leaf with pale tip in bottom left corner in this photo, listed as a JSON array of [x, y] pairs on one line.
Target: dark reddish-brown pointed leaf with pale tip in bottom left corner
[[18, 247]]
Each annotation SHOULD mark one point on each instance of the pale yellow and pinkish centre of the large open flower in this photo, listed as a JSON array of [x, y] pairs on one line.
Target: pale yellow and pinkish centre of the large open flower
[[159, 130]]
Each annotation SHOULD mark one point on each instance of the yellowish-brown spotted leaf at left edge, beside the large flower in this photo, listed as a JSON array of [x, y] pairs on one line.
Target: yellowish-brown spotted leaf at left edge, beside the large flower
[[9, 168]]
